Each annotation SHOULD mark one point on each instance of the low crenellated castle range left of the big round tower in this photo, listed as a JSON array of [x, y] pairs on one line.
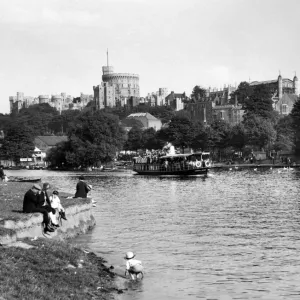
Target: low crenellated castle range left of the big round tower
[[59, 101]]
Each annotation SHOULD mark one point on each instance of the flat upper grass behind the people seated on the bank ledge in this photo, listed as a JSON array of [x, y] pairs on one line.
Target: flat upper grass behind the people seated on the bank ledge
[[11, 200]]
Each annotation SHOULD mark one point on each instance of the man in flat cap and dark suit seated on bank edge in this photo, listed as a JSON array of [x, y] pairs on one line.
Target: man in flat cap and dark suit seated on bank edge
[[31, 205]]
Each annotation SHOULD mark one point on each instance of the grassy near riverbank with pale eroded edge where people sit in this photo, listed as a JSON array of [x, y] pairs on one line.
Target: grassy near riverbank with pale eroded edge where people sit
[[37, 267]]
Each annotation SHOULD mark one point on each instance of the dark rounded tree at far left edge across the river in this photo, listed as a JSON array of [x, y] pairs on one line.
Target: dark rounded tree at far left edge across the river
[[18, 143]]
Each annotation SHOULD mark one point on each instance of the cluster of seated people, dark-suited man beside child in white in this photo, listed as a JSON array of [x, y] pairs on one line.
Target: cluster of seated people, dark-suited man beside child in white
[[37, 200]]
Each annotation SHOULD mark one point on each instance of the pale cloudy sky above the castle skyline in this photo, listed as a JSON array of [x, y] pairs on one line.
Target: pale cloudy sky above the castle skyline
[[54, 46]]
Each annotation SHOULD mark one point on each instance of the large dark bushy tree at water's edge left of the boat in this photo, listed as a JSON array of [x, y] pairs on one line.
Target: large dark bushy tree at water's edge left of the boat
[[94, 137]]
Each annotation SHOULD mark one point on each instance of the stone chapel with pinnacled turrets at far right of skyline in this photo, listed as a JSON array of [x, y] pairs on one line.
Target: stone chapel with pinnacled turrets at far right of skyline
[[285, 92]]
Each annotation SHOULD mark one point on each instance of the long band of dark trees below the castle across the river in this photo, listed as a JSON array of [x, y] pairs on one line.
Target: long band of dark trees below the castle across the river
[[96, 136]]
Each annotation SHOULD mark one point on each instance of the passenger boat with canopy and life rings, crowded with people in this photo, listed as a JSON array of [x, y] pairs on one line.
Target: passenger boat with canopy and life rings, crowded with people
[[177, 164]]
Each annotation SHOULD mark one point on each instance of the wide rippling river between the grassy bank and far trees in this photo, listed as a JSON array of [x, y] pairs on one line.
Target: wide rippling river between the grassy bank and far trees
[[233, 235]]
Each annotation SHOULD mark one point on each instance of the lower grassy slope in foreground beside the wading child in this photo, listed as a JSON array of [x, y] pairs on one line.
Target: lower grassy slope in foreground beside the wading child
[[53, 270]]
